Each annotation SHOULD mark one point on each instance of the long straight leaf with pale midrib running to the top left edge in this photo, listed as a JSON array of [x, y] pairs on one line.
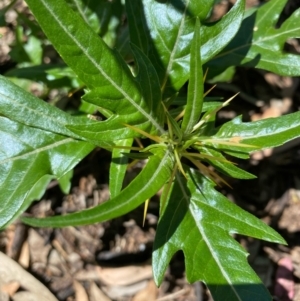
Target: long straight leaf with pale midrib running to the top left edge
[[93, 61]]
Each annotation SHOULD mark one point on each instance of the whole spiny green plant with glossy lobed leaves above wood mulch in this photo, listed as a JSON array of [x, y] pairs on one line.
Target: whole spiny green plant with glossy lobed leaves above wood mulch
[[170, 41]]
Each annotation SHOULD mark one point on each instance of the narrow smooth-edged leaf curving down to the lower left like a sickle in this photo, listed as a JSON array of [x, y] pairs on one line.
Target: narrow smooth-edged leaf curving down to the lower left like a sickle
[[144, 186]]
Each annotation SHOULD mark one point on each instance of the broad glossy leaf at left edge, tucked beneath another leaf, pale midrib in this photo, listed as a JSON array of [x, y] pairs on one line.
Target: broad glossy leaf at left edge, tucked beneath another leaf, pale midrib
[[27, 156]]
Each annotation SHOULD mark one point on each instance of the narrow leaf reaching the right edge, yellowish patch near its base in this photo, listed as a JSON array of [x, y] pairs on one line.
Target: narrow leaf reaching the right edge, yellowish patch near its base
[[266, 133]]
